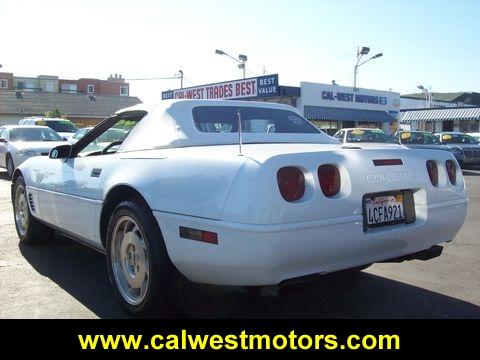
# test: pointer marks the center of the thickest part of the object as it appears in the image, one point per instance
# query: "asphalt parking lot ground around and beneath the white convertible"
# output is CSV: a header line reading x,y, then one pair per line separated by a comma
x,y
64,279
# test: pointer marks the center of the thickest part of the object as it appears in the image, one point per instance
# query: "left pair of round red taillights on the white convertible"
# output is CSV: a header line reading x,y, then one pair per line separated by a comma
x,y
291,181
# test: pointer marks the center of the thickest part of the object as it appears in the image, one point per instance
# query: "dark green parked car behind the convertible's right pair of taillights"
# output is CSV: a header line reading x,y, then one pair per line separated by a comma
x,y
426,140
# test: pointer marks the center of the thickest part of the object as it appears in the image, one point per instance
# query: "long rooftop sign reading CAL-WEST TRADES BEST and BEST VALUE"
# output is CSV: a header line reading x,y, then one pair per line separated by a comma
x,y
262,86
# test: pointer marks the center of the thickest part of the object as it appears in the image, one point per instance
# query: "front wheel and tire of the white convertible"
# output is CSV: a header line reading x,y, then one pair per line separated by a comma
x,y
33,232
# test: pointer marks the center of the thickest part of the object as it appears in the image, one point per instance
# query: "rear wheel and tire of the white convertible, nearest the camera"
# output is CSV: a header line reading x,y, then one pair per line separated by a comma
x,y
163,278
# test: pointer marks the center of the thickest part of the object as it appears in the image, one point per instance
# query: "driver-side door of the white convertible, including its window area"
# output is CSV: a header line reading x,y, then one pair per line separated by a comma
x,y
74,185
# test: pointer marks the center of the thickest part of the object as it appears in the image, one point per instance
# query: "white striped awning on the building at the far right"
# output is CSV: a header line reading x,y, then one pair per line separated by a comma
x,y
472,113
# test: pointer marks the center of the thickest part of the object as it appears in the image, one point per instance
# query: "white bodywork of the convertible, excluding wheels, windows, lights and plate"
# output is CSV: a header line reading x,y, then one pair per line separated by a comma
x,y
198,180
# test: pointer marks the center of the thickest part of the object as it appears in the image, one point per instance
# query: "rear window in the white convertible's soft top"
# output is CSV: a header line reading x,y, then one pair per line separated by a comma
x,y
224,119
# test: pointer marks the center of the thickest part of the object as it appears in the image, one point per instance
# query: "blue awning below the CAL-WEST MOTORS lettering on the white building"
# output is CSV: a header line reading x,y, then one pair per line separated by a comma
x,y
344,114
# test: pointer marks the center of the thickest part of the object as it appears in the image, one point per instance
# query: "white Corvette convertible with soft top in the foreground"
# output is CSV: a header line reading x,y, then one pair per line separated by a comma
x,y
188,195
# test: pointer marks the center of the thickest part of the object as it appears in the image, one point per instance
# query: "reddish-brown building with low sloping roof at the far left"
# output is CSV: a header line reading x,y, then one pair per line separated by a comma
x,y
85,101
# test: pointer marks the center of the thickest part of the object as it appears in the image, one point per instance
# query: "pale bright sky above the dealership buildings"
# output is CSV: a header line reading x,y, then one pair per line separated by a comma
x,y
433,43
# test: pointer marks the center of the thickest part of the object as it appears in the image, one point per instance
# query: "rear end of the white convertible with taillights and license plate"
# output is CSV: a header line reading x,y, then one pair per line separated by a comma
x,y
296,211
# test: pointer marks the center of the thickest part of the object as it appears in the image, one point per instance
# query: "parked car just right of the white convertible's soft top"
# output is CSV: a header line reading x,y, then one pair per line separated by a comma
x,y
365,138
